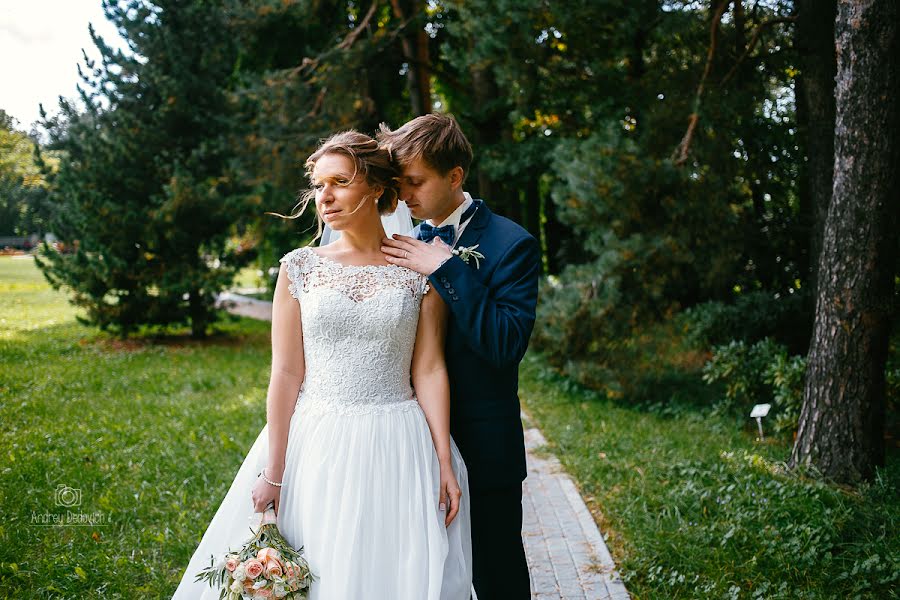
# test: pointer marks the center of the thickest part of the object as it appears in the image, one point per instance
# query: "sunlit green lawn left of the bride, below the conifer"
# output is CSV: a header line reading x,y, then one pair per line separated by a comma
x,y
144,436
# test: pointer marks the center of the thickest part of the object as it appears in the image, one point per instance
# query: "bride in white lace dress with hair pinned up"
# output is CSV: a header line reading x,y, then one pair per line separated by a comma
x,y
356,454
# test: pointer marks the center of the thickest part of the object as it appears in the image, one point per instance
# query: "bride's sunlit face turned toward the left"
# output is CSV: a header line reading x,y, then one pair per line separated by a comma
x,y
342,200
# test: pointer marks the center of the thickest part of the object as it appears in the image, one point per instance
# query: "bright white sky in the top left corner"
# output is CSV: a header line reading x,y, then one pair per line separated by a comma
x,y
40,48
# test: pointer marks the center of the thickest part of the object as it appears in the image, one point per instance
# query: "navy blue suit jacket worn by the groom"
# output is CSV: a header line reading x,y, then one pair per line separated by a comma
x,y
492,312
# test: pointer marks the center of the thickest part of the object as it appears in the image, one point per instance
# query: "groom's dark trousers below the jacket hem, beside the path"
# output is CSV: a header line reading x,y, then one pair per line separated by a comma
x,y
498,556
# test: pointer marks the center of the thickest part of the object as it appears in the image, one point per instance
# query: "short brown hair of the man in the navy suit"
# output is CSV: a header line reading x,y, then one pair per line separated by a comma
x,y
435,138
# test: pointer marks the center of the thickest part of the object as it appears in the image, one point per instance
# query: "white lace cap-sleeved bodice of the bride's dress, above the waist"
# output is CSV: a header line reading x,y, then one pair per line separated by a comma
x,y
359,327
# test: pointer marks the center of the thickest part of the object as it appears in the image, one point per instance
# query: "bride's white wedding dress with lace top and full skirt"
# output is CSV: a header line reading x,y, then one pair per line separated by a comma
x,y
361,482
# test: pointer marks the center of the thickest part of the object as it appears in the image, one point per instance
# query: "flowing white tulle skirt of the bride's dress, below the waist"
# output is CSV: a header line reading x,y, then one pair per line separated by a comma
x,y
361,495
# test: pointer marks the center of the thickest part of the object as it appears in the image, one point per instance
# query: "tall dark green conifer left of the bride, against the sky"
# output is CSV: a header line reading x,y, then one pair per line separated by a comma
x,y
146,194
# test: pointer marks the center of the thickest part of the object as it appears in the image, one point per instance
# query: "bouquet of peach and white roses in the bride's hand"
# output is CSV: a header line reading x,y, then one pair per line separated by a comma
x,y
266,567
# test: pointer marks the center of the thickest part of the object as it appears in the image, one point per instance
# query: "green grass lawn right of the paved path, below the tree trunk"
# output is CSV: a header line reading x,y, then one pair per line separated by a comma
x,y
694,507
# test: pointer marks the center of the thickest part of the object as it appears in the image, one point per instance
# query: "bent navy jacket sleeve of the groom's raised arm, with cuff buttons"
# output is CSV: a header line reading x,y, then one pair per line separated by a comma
x,y
497,320
